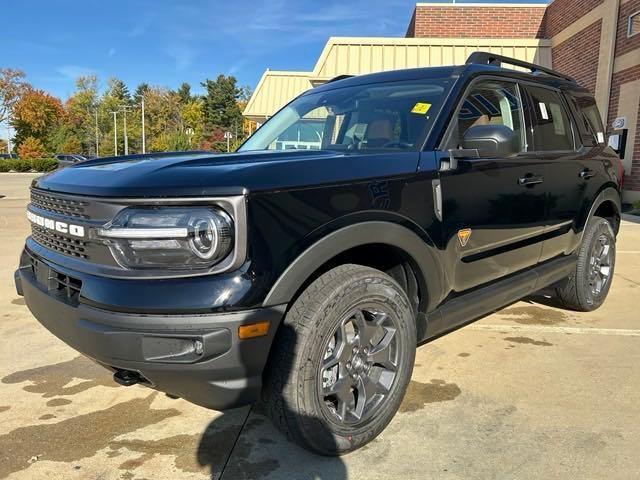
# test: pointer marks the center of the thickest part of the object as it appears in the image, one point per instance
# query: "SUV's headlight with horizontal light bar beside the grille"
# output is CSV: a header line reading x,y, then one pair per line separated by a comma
x,y
173,237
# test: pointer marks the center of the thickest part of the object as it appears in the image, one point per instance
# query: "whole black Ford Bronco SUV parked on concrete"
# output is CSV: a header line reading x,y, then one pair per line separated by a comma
x,y
307,274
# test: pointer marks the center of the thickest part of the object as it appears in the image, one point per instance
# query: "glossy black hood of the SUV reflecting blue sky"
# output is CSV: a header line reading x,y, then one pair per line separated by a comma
x,y
207,174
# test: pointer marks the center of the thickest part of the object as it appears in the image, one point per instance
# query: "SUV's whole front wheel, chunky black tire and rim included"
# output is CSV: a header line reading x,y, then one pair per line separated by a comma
x,y
299,392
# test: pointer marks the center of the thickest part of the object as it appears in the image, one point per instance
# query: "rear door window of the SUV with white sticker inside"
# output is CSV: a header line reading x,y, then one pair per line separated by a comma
x,y
550,121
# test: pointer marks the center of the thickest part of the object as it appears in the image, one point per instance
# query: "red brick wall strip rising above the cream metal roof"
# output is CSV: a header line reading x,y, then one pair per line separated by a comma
x,y
476,22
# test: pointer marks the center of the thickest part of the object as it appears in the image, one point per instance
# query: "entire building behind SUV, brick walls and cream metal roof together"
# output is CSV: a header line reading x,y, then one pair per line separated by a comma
x,y
595,41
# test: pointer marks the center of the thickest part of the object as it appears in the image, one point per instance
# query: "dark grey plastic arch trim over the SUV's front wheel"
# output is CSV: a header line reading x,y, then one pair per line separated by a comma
x,y
419,252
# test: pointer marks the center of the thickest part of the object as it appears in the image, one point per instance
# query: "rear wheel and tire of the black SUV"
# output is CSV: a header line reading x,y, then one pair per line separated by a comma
x,y
587,287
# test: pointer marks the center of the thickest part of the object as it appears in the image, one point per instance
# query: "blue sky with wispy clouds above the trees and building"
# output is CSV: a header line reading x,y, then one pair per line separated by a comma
x,y
164,42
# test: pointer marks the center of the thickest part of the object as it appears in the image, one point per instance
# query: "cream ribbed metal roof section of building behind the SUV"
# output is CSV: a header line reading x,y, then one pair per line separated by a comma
x,y
363,55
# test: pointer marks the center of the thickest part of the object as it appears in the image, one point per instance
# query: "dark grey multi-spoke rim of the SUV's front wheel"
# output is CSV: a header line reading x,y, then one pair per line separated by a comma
x,y
360,365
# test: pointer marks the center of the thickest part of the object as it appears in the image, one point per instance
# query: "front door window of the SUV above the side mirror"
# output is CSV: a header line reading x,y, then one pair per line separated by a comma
x,y
489,103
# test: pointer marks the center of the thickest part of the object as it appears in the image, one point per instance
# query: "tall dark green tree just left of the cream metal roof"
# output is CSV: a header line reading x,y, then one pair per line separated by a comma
x,y
221,103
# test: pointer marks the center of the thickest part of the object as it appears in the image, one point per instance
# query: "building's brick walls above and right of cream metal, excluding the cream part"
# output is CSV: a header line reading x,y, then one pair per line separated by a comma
x,y
595,41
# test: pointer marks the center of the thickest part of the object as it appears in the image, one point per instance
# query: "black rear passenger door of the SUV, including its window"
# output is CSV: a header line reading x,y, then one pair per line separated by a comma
x,y
570,167
